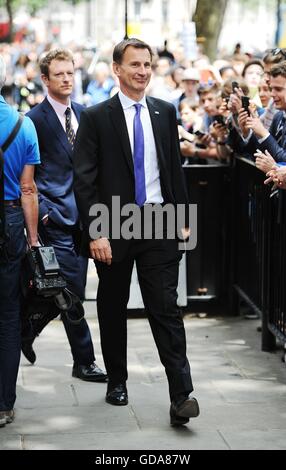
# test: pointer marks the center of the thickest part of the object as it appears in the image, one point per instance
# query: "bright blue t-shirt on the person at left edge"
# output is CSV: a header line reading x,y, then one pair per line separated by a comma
x,y
24,149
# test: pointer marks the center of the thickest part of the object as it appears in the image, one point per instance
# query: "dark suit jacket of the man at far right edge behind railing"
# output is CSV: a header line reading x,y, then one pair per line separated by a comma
x,y
277,151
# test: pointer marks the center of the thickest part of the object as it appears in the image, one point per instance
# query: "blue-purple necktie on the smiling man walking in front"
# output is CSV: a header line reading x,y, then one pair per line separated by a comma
x,y
140,188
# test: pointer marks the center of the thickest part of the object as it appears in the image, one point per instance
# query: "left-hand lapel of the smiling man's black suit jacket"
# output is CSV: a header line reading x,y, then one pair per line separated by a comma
x,y
119,123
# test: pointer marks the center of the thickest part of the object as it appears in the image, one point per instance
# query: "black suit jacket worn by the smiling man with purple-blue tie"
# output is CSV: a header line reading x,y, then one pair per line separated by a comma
x,y
103,163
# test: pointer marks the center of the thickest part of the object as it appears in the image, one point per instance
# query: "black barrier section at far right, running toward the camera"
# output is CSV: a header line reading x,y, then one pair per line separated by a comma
x,y
259,249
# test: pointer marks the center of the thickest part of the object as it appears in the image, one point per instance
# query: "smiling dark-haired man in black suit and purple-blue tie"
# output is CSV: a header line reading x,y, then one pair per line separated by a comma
x,y
127,148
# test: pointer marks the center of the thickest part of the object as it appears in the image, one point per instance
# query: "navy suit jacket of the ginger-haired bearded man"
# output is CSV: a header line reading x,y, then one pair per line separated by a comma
x,y
54,177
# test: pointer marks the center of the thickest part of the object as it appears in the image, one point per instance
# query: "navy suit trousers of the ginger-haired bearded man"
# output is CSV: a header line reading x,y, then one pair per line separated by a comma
x,y
74,269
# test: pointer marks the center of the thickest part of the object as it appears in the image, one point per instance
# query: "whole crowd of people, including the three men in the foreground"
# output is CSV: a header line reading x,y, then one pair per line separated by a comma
x,y
95,129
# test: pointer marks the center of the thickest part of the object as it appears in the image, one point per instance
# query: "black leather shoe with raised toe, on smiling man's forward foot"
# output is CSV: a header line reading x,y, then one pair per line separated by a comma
x,y
183,409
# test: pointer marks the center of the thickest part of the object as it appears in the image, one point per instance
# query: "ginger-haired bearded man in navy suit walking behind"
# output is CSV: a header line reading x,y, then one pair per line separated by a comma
x,y
56,121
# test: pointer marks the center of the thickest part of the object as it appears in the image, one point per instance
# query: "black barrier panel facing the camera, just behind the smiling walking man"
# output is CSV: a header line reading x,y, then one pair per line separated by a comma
x,y
209,187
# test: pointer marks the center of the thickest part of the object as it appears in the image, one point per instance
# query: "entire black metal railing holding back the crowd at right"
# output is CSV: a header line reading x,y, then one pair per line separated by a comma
x,y
241,249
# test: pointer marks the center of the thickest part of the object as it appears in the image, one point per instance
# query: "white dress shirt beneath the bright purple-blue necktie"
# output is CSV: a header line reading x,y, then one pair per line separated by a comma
x,y
152,174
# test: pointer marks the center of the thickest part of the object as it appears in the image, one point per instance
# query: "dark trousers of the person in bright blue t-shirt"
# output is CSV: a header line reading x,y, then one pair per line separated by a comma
x,y
10,328
